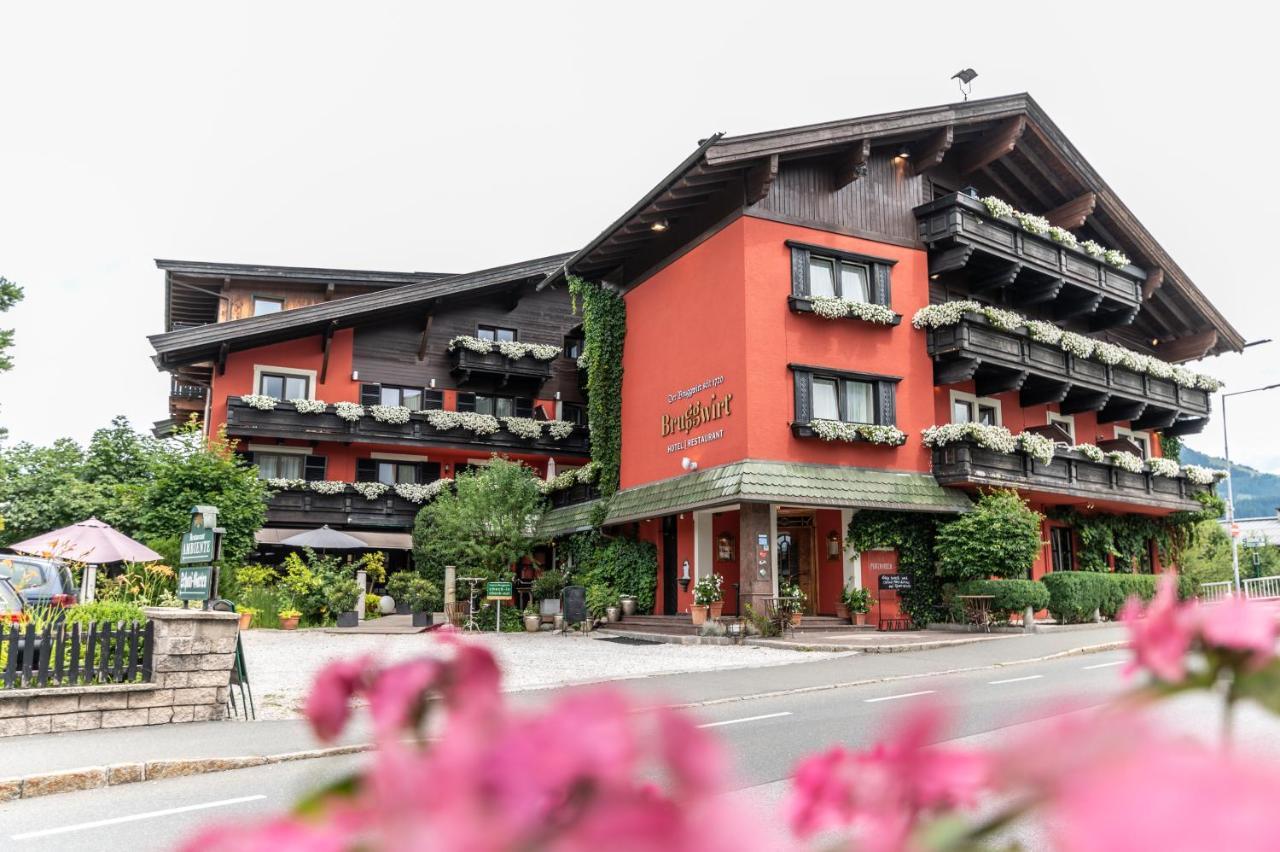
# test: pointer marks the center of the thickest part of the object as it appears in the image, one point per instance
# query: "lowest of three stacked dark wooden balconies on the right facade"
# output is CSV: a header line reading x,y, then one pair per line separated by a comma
x,y
1069,475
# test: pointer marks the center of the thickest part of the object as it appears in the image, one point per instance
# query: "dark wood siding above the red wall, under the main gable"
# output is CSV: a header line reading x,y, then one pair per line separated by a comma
x,y
877,207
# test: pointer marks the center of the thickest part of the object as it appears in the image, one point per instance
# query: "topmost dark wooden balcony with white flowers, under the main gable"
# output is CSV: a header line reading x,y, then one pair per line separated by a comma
x,y
973,251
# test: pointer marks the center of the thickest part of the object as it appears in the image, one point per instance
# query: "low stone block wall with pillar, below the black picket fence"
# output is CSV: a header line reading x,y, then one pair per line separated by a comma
x,y
193,661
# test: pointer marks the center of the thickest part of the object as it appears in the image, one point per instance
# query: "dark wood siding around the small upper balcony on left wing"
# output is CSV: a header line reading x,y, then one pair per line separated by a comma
x,y
387,352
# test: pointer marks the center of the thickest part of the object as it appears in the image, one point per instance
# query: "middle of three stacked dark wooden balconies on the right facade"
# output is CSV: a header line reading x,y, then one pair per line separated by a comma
x,y
1000,361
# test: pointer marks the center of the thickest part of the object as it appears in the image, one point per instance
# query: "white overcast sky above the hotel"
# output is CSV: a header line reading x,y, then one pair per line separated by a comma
x,y
414,136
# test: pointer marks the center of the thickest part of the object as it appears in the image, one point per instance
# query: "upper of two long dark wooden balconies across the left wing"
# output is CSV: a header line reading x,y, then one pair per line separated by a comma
x,y
285,422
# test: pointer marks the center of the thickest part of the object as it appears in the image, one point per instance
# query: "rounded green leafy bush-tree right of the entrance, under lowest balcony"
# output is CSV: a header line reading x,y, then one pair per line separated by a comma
x,y
999,539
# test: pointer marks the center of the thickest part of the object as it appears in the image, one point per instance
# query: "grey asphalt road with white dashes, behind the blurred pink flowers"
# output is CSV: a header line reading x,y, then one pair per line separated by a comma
x,y
766,738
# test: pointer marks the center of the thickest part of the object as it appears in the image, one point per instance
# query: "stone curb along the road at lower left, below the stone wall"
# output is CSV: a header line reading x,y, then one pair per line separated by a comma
x,y
70,781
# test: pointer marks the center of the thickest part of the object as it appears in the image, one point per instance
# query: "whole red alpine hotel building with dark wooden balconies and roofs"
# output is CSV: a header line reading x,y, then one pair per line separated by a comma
x,y
779,373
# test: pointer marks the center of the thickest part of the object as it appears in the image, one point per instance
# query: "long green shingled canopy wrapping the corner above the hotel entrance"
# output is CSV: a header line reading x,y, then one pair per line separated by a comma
x,y
790,483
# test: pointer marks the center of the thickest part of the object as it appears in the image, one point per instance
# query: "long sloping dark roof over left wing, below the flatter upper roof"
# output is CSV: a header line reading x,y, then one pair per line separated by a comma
x,y
205,342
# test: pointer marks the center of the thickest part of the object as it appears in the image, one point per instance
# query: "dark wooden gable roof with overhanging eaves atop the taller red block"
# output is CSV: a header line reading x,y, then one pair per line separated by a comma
x,y
1009,141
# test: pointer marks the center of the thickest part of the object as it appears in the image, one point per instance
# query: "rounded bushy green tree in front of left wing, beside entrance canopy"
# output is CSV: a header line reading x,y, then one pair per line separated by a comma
x,y
484,525
